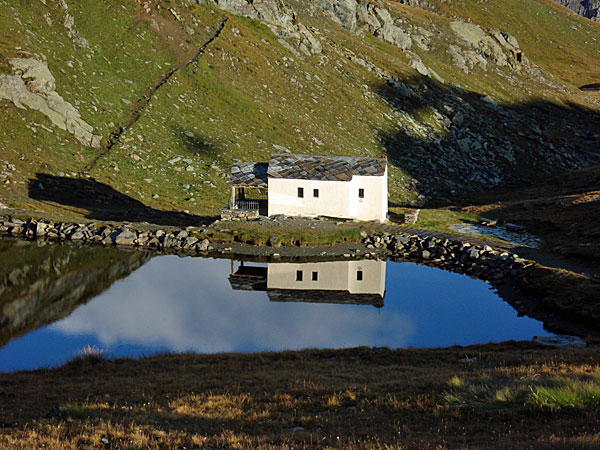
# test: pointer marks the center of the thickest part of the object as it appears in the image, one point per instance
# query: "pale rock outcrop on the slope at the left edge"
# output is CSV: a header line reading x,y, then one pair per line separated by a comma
x,y
33,86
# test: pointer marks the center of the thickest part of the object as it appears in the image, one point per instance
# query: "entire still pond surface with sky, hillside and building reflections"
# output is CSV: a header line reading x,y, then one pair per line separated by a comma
x,y
136,306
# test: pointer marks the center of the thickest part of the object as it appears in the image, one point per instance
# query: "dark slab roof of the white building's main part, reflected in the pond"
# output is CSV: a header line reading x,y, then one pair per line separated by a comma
x,y
324,296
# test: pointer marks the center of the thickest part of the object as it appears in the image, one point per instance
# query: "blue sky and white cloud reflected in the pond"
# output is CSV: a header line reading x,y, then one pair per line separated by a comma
x,y
186,304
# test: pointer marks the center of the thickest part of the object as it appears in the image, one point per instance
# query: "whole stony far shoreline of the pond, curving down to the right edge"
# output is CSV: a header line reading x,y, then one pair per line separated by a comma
x,y
504,271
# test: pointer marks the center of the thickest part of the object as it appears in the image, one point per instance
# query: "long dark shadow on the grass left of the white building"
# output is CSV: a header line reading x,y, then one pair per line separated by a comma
x,y
105,203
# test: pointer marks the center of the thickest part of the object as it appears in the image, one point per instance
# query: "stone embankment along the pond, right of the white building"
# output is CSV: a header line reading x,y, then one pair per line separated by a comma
x,y
482,262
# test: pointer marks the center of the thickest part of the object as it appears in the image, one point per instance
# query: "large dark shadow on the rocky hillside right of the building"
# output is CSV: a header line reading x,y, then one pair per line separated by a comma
x,y
478,145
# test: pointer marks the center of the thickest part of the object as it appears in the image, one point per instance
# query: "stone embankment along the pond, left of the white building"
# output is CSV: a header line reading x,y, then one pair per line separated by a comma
x,y
105,235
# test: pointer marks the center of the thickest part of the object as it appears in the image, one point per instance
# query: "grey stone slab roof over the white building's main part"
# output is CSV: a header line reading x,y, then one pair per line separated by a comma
x,y
326,168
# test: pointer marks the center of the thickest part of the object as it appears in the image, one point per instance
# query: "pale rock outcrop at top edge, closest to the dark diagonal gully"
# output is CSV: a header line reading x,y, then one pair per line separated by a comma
x,y
281,19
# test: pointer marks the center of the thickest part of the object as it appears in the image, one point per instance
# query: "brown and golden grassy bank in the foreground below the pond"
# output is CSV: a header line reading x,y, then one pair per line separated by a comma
x,y
511,395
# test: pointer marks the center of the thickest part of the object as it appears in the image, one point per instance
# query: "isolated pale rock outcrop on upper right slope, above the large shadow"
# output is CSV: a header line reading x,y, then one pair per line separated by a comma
x,y
494,46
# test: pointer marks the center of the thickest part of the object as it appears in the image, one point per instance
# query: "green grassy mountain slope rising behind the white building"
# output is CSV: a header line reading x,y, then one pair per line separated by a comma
x,y
248,95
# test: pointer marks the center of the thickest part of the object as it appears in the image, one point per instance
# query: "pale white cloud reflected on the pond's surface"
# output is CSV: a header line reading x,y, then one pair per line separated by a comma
x,y
187,304
